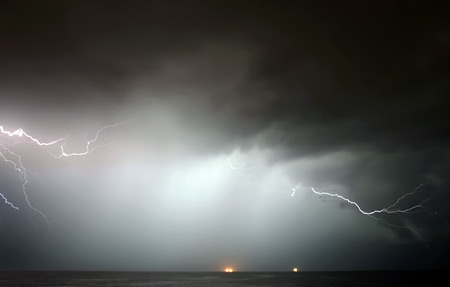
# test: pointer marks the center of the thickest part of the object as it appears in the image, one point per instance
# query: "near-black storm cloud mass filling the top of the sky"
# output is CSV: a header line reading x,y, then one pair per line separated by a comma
x,y
309,64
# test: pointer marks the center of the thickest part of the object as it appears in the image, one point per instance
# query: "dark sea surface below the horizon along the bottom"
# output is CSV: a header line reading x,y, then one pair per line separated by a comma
x,y
378,278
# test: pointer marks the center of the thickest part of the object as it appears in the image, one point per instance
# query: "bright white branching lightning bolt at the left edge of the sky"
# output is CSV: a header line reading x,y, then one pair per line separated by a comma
x,y
15,160
